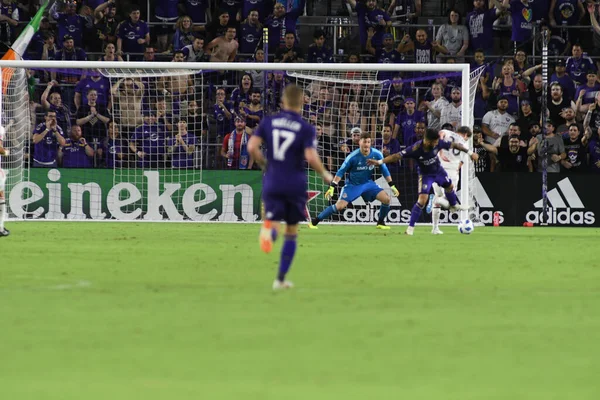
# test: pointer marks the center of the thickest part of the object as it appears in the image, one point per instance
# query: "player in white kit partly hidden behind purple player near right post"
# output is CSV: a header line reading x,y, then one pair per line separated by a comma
x,y
451,161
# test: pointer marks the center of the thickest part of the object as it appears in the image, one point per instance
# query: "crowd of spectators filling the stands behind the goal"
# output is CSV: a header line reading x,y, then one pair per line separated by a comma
x,y
205,120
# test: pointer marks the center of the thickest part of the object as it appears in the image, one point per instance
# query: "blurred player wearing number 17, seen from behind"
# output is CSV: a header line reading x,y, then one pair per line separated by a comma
x,y
289,140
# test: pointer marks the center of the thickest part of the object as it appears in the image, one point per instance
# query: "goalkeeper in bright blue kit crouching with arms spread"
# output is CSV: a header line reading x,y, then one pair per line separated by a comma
x,y
359,183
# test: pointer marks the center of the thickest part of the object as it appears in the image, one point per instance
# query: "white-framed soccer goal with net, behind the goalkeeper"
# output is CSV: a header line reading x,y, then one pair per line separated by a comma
x,y
167,141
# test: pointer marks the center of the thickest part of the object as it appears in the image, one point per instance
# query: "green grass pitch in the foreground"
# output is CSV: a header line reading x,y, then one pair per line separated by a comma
x,y
185,311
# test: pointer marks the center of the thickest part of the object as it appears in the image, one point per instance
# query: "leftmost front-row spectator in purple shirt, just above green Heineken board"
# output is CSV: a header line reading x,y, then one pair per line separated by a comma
x,y
47,136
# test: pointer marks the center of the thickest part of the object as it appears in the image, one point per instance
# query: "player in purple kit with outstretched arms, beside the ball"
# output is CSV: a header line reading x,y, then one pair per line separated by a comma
x,y
424,152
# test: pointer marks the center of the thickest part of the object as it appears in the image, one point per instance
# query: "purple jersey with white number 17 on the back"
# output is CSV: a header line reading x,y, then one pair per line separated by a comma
x,y
286,135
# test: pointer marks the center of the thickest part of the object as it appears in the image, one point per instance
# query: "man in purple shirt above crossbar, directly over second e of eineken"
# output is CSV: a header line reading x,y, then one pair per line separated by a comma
x,y
133,35
